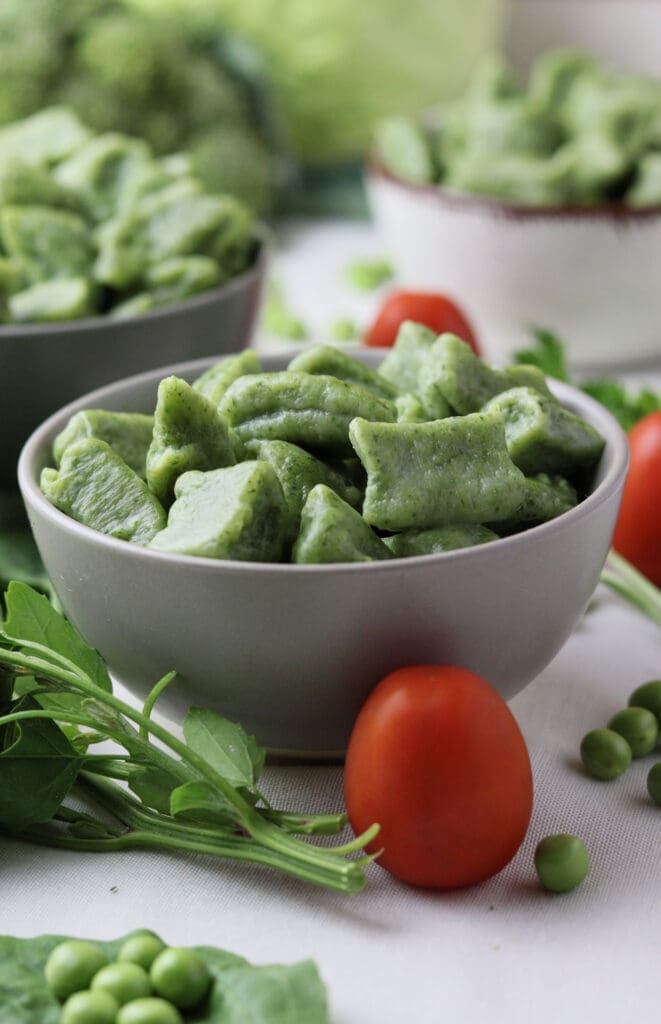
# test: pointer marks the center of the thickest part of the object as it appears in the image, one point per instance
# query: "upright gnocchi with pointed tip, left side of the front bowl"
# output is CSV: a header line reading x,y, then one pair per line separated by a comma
x,y
189,435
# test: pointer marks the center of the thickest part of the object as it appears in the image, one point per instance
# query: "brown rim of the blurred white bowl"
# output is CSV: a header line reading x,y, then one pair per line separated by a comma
x,y
518,211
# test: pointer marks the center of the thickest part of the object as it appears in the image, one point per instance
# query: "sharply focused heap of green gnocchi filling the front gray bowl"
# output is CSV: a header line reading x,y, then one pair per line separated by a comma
x,y
330,460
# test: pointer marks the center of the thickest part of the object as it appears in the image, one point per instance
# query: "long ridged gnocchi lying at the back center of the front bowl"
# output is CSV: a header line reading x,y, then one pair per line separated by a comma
x,y
312,410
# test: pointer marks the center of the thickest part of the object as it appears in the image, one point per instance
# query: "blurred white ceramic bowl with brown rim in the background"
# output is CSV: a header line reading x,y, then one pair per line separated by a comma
x,y
590,275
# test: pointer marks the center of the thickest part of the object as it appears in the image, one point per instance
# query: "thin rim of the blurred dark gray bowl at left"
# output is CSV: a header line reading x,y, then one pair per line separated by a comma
x,y
106,322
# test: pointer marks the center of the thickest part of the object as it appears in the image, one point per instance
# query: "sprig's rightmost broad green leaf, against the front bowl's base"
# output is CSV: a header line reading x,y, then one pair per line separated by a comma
x,y
226,746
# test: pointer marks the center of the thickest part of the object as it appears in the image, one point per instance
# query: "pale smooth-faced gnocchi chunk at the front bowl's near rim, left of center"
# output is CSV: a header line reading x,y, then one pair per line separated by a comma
x,y
238,513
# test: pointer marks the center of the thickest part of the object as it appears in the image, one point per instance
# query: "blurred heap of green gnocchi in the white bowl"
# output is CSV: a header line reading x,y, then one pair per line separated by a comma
x,y
577,135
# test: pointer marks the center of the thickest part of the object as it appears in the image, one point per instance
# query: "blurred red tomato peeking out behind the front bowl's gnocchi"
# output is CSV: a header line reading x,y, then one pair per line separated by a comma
x,y
435,312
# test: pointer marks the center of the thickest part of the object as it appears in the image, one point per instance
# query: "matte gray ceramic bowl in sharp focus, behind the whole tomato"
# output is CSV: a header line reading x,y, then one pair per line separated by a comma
x,y
292,652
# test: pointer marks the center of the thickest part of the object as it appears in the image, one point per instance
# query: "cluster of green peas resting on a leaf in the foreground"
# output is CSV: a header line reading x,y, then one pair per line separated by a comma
x,y
150,984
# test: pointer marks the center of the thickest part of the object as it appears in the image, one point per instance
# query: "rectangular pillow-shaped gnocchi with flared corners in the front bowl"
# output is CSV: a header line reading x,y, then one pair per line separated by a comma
x,y
431,475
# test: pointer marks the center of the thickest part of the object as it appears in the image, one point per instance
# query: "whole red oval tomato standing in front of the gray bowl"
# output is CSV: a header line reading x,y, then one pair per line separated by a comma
x,y
437,759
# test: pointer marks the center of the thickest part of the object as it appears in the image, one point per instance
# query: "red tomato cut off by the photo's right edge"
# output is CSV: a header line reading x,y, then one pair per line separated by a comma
x,y
638,533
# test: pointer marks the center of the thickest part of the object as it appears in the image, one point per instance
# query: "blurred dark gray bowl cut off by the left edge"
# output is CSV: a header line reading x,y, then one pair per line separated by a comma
x,y
42,367
